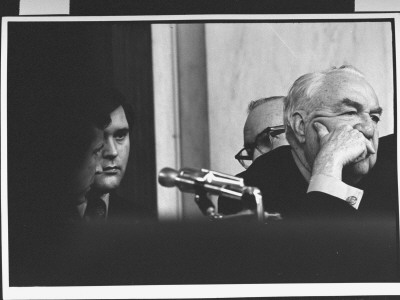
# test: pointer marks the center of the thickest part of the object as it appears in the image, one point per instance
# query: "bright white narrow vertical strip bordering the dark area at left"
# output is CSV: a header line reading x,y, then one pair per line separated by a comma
x,y
166,116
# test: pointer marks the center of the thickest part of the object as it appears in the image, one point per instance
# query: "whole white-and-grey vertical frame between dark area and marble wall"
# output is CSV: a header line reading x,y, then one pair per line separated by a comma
x,y
181,113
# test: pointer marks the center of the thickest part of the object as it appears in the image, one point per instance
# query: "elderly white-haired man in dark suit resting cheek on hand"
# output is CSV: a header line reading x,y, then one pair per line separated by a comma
x,y
328,171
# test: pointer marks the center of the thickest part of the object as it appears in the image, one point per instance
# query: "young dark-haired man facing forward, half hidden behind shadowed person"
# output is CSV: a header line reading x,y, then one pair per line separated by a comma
x,y
103,200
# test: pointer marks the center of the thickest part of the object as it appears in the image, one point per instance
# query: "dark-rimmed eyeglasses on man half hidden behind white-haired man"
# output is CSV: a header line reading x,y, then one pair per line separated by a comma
x,y
245,155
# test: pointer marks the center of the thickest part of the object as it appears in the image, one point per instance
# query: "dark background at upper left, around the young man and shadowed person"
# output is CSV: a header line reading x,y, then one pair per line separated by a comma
x,y
42,55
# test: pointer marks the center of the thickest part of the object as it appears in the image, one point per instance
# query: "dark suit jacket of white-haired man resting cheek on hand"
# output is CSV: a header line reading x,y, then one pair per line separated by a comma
x,y
284,188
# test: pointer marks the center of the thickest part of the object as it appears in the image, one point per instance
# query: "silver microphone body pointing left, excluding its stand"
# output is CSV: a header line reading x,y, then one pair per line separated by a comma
x,y
195,181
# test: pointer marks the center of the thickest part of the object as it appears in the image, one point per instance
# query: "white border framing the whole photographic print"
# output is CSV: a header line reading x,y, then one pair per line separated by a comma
x,y
174,291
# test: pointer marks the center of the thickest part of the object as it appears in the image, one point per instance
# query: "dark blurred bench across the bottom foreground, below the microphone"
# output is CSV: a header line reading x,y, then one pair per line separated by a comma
x,y
212,253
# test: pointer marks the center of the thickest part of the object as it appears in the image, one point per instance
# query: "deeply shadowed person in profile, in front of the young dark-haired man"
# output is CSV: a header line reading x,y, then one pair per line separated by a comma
x,y
66,125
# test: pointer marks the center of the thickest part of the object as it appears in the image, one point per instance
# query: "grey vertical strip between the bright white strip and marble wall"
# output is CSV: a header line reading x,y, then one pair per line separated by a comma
x,y
193,110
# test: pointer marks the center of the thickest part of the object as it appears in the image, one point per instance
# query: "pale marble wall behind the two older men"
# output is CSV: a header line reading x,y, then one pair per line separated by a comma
x,y
249,61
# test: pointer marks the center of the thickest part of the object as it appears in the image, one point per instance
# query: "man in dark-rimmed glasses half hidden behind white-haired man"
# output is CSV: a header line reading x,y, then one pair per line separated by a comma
x,y
262,132
